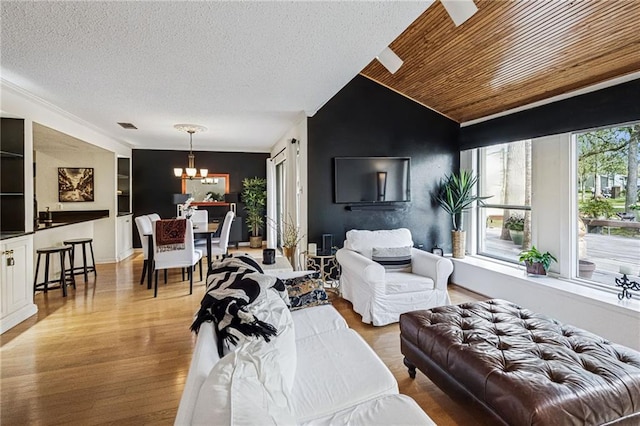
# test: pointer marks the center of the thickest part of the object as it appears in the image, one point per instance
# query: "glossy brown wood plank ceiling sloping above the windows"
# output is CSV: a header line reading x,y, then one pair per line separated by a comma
x,y
512,53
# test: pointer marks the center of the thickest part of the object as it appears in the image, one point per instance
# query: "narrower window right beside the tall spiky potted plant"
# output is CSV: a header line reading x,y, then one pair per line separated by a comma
x,y
504,222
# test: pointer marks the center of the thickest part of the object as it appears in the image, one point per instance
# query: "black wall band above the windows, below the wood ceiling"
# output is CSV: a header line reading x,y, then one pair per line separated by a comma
x,y
613,105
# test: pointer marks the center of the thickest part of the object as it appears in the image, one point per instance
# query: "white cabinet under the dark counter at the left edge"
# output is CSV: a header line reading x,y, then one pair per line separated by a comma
x,y
16,281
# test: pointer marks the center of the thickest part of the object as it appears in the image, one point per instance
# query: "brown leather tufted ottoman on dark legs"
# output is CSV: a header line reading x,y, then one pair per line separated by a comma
x,y
522,367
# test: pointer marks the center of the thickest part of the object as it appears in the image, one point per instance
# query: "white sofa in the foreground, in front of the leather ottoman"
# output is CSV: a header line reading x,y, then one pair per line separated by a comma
x,y
338,380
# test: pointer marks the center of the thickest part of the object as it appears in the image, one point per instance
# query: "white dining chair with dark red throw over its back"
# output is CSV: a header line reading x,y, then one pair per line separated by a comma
x,y
182,257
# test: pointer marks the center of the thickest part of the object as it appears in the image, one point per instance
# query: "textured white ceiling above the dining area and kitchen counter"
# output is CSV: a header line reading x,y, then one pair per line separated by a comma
x,y
248,71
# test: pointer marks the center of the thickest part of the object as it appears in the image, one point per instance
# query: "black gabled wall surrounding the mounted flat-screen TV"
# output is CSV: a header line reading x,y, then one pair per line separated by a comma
x,y
367,119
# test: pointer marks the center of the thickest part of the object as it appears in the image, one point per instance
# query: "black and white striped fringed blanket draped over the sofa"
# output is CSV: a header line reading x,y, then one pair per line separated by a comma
x,y
233,284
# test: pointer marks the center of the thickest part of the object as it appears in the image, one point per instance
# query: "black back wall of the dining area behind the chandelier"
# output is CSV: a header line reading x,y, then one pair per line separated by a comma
x,y
154,182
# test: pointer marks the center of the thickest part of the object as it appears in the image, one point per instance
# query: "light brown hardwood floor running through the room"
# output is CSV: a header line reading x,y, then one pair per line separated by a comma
x,y
110,353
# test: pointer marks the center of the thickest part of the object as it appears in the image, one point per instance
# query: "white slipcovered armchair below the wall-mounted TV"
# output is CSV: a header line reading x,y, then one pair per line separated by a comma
x,y
380,295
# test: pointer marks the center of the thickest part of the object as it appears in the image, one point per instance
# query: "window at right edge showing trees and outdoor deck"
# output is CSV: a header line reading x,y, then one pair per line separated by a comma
x,y
608,205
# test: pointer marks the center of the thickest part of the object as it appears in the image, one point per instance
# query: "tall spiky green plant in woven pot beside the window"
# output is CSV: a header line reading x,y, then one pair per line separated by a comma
x,y
455,195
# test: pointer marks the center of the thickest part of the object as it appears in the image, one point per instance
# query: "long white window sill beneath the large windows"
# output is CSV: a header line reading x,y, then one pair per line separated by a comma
x,y
555,284
